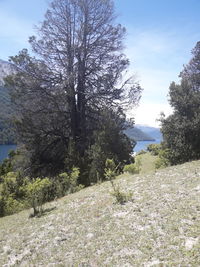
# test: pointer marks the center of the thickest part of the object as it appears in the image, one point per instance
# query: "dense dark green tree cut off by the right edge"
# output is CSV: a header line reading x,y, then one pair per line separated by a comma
x,y
181,130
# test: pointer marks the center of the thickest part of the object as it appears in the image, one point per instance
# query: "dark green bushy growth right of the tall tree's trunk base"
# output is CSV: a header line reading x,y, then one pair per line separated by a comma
x,y
110,142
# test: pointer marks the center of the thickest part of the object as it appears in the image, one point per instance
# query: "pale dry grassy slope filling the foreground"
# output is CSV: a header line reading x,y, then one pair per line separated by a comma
x,y
159,227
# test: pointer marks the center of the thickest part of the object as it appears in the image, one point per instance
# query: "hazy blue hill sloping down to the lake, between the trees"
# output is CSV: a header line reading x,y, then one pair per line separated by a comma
x,y
138,134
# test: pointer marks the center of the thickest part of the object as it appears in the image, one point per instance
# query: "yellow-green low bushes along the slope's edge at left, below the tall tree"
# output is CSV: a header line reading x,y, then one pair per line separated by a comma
x,y
18,193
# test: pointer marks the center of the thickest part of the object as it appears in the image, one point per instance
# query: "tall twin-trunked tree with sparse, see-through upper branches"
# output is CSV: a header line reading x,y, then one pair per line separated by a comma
x,y
59,96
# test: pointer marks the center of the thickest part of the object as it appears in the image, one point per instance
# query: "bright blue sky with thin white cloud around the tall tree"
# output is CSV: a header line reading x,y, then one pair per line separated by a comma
x,y
159,39
